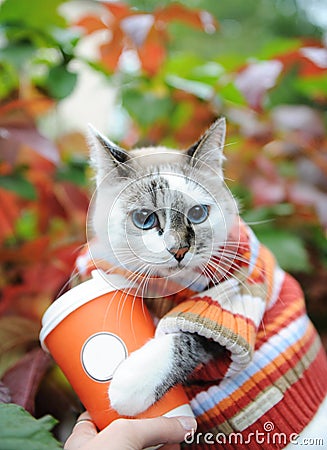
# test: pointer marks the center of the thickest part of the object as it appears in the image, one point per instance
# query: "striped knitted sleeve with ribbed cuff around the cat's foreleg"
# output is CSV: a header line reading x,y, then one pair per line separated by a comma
x,y
230,312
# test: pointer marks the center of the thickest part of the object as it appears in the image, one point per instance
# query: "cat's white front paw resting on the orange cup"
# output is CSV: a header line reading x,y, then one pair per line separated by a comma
x,y
140,378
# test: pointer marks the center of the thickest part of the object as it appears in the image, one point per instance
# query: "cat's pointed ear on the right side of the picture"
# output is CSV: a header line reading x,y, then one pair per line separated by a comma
x,y
209,148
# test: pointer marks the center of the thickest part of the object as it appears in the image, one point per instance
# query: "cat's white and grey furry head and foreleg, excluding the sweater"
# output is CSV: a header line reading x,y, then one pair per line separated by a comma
x,y
169,208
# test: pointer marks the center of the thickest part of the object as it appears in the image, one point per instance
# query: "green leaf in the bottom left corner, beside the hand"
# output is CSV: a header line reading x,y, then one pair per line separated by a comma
x,y
19,430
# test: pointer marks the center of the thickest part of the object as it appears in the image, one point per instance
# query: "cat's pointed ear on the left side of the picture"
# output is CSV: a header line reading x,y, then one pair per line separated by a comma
x,y
107,157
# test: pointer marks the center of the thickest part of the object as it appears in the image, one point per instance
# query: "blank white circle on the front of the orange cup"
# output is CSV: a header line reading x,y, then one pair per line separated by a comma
x,y
101,355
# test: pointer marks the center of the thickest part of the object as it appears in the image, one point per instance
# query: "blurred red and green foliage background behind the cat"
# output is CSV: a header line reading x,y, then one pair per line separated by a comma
x,y
173,68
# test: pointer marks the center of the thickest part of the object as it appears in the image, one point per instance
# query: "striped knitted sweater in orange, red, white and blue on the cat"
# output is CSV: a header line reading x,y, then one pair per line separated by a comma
x,y
272,377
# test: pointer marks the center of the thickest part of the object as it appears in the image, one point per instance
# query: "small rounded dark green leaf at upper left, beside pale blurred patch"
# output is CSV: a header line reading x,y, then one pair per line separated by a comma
x,y
60,82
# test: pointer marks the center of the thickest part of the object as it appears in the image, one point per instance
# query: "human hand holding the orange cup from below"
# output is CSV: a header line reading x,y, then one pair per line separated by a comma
x,y
131,434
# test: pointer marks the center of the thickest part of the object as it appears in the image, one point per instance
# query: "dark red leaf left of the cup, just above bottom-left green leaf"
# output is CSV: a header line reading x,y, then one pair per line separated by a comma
x,y
24,377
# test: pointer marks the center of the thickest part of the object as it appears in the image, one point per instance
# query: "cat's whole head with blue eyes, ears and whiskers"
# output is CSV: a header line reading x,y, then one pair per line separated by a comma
x,y
161,211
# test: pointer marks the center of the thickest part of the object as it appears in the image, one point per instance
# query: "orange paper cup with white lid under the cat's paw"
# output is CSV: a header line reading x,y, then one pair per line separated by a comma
x,y
89,331
